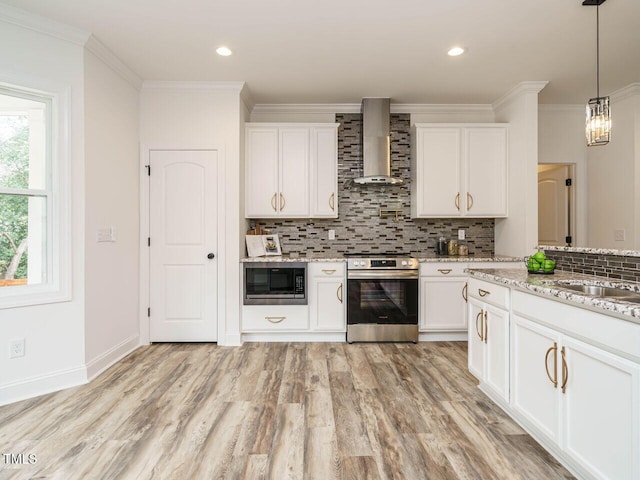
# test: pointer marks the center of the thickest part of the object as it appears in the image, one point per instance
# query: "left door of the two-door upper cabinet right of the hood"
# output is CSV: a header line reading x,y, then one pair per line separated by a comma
x,y
438,166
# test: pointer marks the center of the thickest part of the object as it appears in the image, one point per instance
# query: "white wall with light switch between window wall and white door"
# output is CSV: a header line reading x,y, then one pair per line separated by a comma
x,y
112,200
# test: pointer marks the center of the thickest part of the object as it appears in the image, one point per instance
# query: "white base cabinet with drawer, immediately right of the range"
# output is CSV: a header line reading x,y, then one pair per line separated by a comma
x,y
443,297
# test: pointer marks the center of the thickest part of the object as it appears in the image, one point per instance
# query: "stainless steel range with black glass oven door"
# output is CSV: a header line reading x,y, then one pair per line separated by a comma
x,y
382,298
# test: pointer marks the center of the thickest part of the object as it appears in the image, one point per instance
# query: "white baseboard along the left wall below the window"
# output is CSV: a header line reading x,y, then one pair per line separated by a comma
x,y
42,384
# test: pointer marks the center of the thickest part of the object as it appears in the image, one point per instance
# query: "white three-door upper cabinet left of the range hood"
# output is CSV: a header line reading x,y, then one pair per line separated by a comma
x,y
291,170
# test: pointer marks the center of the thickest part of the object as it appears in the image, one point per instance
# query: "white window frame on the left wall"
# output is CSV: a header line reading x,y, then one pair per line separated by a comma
x,y
56,287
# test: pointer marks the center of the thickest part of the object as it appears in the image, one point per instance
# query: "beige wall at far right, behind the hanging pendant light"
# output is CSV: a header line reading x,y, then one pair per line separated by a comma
x,y
613,177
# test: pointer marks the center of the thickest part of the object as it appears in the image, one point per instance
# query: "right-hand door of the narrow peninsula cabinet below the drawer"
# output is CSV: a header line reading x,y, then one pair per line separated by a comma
x,y
496,332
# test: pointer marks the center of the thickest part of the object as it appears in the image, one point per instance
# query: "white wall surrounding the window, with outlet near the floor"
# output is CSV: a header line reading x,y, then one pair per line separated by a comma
x,y
53,333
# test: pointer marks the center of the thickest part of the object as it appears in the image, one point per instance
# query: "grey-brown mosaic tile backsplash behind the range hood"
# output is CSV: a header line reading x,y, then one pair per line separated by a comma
x,y
359,227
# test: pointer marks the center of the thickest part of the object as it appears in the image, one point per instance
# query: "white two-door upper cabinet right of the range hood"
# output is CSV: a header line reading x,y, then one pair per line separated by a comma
x,y
459,170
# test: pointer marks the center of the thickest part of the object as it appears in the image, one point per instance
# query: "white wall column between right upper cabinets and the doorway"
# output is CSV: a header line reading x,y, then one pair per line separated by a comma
x,y
517,235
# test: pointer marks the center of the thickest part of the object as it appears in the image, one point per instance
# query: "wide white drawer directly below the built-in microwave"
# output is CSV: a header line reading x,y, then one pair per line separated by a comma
x,y
268,318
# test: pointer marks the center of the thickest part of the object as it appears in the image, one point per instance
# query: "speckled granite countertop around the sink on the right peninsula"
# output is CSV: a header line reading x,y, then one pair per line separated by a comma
x,y
551,286
